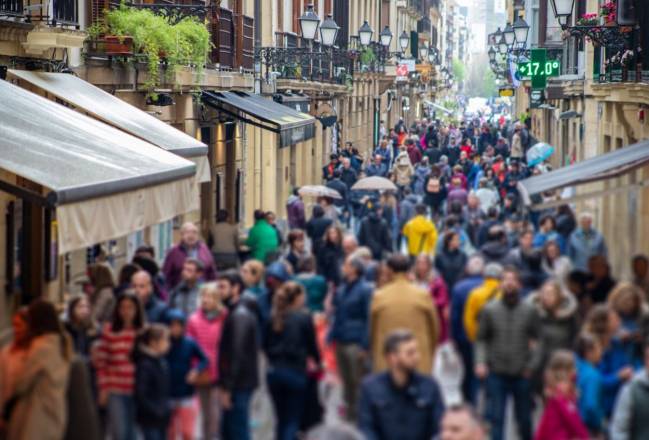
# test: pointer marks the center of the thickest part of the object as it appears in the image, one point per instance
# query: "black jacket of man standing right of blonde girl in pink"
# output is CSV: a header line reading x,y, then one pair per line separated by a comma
x,y
238,368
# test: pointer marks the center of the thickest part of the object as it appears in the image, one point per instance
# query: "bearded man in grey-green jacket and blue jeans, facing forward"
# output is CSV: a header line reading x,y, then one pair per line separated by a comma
x,y
504,355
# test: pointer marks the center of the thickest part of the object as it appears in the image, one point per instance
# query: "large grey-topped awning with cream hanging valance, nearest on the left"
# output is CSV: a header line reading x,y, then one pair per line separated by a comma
x,y
102,182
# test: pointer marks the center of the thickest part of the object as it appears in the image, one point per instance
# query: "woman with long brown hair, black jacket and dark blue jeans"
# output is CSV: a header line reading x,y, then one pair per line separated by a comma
x,y
290,340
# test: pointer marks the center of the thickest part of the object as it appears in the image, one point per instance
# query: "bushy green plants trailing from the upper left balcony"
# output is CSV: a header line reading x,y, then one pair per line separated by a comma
x,y
185,43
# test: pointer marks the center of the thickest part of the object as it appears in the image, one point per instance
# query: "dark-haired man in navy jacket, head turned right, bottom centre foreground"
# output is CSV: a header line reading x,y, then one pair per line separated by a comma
x,y
400,403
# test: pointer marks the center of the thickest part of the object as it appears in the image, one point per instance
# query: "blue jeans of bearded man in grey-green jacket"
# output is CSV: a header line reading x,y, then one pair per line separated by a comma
x,y
499,387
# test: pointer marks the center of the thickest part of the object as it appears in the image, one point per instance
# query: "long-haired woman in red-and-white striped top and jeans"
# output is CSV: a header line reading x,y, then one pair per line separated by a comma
x,y
115,368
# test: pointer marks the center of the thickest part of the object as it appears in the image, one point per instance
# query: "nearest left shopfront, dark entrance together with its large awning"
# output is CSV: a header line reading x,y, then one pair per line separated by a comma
x,y
69,181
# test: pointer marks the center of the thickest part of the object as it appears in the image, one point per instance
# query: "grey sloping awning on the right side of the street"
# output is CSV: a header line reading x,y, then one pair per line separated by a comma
x,y
598,168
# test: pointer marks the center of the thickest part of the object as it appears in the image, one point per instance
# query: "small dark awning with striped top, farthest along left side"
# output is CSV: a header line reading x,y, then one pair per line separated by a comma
x,y
292,126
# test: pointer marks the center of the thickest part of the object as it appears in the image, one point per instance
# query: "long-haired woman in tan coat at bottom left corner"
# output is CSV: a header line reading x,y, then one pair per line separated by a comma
x,y
38,404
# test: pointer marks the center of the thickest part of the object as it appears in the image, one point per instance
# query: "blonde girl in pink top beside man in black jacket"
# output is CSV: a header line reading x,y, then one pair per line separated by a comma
x,y
206,326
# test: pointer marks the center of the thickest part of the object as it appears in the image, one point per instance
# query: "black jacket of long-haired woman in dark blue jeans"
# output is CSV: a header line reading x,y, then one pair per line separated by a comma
x,y
290,347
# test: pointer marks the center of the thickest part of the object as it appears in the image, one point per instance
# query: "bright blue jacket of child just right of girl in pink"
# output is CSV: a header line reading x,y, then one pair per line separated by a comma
x,y
589,384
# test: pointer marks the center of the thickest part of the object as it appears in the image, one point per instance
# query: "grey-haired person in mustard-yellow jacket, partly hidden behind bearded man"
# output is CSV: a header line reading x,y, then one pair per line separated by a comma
x,y
480,296
